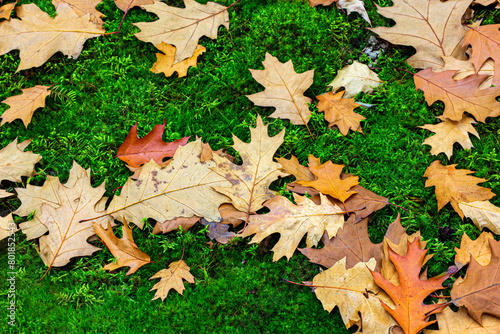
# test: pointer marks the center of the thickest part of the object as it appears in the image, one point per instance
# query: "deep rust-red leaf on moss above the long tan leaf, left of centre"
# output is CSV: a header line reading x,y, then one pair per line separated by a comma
x,y
137,151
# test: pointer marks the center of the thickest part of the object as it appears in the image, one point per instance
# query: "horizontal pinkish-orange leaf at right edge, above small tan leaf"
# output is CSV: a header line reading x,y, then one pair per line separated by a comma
x,y
459,96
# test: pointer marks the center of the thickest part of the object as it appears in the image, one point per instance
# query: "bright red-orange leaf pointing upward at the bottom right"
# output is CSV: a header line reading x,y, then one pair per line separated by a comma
x,y
411,312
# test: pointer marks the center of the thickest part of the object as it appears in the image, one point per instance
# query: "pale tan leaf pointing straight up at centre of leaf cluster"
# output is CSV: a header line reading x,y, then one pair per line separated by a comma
x,y
249,182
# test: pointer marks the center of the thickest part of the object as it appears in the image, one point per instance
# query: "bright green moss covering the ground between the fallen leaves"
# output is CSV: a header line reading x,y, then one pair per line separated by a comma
x,y
100,96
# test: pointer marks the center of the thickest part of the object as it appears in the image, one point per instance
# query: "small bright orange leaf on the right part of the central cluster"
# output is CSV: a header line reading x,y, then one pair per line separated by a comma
x,y
329,182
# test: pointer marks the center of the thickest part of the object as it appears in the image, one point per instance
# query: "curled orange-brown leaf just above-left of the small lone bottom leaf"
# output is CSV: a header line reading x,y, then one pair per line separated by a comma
x,y
124,249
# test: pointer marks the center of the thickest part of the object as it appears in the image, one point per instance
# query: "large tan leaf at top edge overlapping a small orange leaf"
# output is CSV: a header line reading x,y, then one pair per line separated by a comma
x,y
183,27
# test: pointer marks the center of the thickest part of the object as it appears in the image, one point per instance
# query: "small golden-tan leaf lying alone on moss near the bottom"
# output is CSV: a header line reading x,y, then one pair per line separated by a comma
x,y
171,278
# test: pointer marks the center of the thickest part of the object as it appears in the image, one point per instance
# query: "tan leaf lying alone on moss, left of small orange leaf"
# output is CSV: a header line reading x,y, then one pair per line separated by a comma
x,y
284,90
